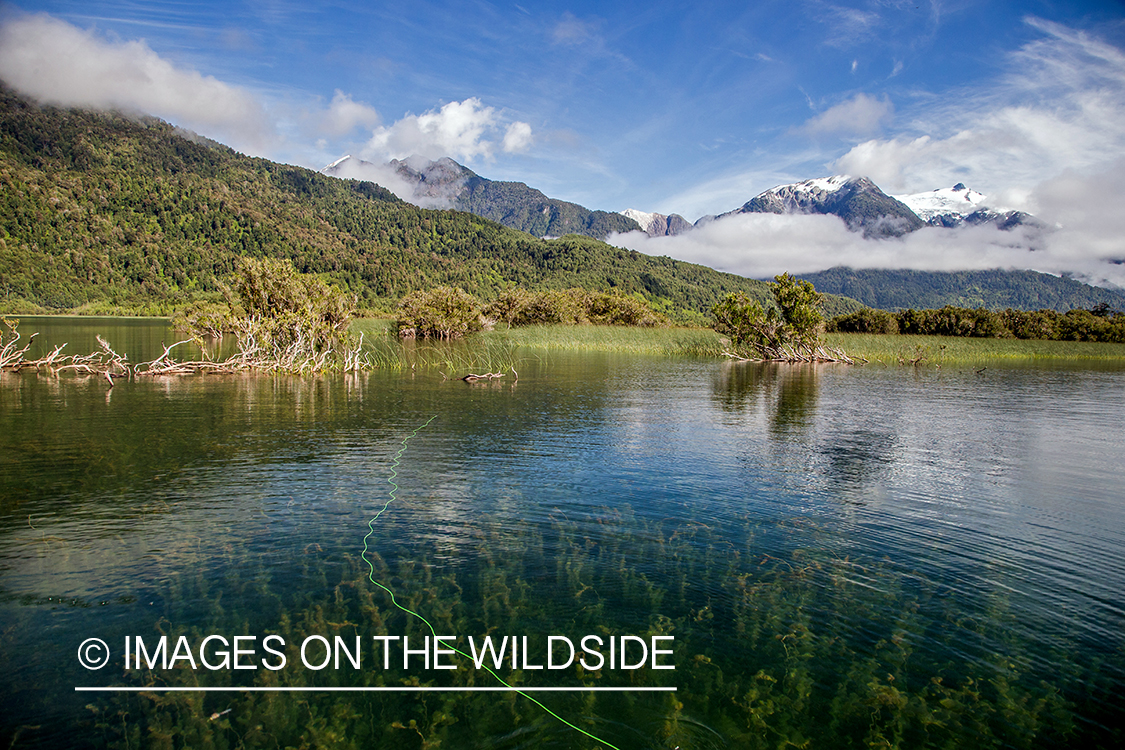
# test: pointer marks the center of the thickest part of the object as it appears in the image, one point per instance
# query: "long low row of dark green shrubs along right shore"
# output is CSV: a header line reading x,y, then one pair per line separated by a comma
x,y
1100,324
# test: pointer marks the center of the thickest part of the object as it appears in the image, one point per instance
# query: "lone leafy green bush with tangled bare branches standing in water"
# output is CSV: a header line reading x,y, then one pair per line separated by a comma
x,y
791,332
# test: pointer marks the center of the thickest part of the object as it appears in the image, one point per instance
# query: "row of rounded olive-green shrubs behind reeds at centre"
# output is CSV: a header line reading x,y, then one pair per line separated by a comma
x,y
449,313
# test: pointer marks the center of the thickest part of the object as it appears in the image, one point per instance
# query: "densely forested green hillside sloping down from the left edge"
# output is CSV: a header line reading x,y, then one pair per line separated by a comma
x,y
101,212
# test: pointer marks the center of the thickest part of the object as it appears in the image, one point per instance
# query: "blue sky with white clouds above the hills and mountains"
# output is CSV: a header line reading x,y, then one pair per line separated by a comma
x,y
665,107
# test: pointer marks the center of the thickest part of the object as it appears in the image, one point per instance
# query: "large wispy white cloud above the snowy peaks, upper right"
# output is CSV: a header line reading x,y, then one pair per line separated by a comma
x,y
1061,106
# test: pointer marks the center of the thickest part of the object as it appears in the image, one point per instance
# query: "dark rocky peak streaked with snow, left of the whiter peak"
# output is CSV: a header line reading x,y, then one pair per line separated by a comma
x,y
857,201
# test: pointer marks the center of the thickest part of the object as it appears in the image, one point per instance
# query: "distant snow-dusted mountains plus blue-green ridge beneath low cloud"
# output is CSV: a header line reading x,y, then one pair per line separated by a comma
x,y
858,202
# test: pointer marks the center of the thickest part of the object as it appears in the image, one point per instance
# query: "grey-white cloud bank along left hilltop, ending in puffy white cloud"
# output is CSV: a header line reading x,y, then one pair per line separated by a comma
x,y
58,64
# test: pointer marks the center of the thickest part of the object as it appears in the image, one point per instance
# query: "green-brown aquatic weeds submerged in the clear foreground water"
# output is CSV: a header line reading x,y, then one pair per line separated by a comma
x,y
811,649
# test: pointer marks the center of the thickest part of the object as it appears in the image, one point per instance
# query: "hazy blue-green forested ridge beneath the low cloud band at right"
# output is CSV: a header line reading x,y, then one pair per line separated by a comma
x,y
995,291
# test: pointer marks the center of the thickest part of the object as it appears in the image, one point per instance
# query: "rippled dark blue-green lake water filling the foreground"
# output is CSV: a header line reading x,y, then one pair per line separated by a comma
x,y
843,557
